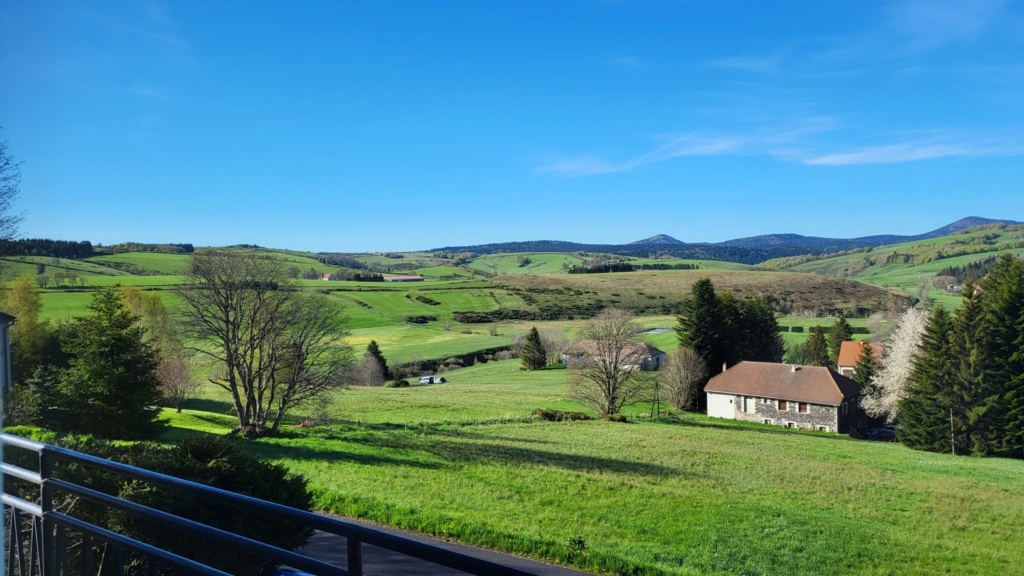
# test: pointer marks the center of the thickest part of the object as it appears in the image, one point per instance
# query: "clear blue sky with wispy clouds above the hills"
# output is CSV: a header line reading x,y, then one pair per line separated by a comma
x,y
380,126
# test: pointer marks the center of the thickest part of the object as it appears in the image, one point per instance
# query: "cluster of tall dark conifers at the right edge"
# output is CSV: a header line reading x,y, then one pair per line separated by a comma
x,y
965,392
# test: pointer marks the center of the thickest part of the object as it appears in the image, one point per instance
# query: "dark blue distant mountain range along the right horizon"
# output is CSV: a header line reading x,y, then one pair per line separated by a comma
x,y
745,251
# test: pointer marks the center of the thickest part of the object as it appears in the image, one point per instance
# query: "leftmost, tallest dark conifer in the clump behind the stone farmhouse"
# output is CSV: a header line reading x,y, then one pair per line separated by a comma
x,y
705,326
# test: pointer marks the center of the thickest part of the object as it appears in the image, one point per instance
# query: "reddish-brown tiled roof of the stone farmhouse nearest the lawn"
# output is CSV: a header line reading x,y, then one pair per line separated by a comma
x,y
785,382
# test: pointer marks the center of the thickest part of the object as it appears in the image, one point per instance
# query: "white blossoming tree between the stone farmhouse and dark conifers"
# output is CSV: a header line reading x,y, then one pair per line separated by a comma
x,y
890,385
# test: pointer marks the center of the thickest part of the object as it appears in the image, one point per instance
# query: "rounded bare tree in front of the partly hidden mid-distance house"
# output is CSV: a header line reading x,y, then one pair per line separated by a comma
x,y
607,375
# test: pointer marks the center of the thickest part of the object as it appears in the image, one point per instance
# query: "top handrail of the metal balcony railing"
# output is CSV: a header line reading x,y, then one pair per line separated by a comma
x,y
371,537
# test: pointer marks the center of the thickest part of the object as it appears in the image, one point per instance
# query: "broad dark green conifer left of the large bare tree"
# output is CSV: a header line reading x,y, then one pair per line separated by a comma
x,y
111,389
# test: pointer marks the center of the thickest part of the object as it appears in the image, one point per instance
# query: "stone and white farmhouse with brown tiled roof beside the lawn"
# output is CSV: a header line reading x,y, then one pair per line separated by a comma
x,y
786,395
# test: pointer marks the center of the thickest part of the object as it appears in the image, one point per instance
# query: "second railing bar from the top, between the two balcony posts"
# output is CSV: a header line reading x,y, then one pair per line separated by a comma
x,y
190,526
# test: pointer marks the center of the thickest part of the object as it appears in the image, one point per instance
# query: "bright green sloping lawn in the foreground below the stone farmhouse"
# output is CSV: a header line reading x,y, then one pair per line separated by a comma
x,y
686,496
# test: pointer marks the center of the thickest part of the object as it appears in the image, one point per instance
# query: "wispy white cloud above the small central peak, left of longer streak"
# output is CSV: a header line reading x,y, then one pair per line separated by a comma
x,y
676,147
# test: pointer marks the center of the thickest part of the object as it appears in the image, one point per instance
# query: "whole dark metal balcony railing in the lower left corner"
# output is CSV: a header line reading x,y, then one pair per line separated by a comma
x,y
38,539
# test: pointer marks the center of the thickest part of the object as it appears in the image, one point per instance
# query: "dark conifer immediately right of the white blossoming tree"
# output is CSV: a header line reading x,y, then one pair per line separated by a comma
x,y
925,413
